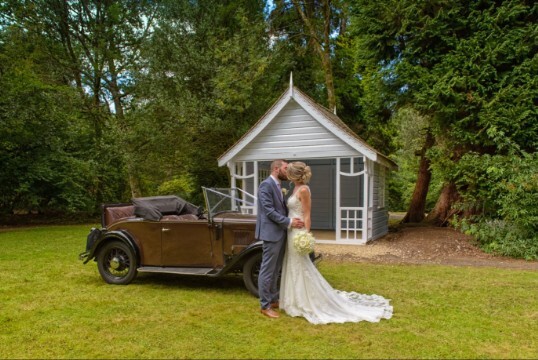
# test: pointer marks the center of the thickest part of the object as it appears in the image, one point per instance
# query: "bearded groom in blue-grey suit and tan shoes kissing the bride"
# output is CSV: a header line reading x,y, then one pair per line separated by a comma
x,y
272,226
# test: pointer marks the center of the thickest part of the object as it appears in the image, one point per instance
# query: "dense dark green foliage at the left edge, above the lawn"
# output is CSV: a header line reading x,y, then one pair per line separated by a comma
x,y
43,137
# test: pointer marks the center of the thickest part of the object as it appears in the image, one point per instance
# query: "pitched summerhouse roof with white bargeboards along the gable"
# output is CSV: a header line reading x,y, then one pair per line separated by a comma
x,y
325,118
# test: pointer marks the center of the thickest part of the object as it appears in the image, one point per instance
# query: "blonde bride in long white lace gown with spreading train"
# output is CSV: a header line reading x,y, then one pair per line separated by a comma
x,y
303,290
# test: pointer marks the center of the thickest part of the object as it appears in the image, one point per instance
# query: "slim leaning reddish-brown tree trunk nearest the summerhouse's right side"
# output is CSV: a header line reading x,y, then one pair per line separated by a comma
x,y
415,213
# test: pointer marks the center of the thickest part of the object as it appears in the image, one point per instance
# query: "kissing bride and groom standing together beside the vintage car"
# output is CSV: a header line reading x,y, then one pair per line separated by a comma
x,y
302,291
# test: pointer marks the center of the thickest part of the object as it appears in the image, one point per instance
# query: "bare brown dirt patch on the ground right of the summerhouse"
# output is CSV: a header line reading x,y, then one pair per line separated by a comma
x,y
422,245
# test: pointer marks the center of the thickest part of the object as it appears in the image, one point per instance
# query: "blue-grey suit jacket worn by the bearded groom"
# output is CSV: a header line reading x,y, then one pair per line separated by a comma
x,y
272,219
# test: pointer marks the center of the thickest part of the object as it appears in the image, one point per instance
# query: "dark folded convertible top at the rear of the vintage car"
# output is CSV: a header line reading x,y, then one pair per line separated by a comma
x,y
155,207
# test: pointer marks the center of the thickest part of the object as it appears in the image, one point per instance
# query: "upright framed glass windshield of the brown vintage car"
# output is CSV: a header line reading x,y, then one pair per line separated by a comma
x,y
228,199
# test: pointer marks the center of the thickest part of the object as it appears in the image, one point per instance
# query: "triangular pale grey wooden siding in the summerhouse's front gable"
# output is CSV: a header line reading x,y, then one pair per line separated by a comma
x,y
295,134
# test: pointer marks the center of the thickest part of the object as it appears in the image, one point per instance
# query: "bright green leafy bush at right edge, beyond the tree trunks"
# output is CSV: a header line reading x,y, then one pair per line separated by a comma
x,y
505,189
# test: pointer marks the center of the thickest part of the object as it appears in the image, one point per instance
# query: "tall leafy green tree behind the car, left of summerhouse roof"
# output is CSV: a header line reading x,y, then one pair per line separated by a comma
x,y
206,81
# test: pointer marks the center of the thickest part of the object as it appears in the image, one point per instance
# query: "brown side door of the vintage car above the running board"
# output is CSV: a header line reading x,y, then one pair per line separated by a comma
x,y
186,244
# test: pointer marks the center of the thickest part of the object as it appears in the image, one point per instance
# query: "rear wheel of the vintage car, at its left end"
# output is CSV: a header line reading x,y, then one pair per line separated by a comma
x,y
117,263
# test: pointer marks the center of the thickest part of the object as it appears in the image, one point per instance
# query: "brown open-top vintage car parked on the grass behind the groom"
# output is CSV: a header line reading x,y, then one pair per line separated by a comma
x,y
166,234
